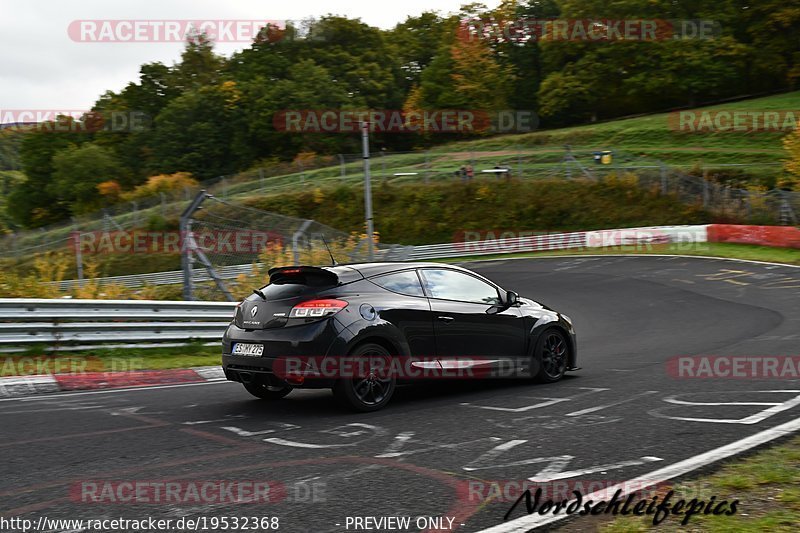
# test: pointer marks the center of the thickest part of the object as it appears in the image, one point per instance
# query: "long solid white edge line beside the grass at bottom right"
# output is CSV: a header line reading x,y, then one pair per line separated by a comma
x,y
529,522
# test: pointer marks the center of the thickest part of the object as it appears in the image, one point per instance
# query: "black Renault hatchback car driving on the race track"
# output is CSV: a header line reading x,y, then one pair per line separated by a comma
x,y
361,329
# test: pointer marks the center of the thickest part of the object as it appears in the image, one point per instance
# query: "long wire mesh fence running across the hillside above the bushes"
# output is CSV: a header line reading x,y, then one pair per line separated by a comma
x,y
421,167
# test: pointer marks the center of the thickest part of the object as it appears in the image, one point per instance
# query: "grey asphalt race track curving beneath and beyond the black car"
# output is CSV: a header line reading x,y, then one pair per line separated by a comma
x,y
622,416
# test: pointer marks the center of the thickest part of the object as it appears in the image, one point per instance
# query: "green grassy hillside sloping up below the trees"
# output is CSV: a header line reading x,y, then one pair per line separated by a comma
x,y
640,141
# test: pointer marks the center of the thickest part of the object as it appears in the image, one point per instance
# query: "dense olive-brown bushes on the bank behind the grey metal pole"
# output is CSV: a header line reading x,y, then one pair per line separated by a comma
x,y
438,212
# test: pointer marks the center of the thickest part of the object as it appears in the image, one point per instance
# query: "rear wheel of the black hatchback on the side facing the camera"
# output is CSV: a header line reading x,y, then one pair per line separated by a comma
x,y
370,392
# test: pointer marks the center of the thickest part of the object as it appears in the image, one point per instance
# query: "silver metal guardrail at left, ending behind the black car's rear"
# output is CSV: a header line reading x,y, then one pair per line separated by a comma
x,y
80,324
